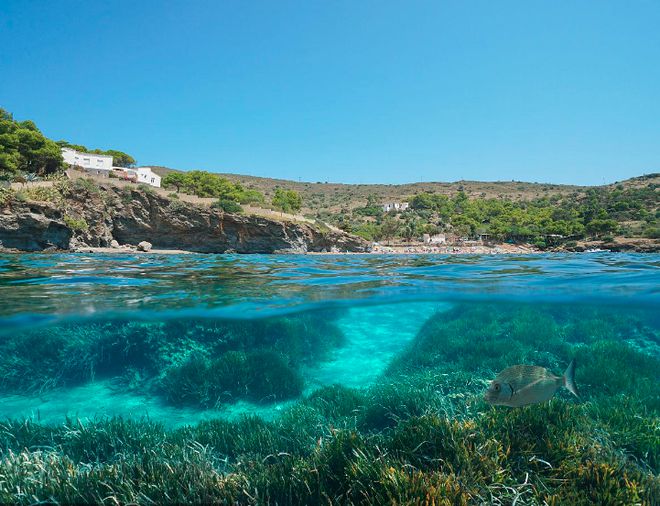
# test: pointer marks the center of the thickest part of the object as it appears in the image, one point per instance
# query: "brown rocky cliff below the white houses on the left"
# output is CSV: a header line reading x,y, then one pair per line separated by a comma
x,y
86,215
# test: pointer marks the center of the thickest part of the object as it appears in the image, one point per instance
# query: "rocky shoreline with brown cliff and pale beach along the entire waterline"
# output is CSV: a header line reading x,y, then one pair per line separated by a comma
x,y
86,217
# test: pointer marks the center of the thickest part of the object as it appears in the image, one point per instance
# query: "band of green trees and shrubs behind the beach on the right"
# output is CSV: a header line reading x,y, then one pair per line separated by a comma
x,y
599,213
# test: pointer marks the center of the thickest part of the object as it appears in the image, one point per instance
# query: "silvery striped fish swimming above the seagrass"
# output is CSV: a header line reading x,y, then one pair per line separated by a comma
x,y
520,385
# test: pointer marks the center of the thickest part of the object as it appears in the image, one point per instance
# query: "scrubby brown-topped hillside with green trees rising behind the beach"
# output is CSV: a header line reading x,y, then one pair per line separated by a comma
x,y
545,215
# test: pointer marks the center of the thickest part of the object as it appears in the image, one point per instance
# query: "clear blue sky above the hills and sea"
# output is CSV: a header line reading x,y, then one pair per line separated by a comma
x,y
348,91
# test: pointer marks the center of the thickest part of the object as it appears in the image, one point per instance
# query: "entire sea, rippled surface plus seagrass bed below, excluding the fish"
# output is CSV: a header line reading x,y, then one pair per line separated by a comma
x,y
326,380
